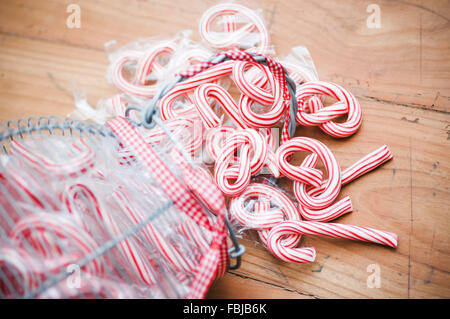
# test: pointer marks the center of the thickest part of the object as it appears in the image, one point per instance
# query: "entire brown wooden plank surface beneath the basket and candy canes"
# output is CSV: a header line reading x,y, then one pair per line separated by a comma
x,y
400,73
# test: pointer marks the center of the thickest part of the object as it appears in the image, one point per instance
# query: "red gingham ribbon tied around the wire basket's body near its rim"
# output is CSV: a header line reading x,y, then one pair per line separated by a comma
x,y
214,263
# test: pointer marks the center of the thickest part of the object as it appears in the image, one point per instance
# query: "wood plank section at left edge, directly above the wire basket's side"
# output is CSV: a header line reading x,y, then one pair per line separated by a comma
x,y
36,77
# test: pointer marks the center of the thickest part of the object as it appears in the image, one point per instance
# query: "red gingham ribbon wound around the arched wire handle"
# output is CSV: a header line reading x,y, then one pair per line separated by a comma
x,y
274,66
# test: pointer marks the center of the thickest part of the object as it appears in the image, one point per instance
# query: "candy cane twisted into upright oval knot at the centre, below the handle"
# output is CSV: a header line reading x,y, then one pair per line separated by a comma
x,y
250,140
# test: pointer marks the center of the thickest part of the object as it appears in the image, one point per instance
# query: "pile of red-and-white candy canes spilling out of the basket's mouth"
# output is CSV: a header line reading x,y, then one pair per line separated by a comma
x,y
240,138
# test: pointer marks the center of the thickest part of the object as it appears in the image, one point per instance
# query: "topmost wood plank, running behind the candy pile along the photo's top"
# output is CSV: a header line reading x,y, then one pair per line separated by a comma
x,y
395,63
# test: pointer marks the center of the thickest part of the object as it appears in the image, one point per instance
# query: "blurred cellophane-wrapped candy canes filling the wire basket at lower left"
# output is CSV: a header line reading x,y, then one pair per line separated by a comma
x,y
80,217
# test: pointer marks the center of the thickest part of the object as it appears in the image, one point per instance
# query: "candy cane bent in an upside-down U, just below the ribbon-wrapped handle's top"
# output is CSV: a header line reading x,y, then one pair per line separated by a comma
x,y
202,95
